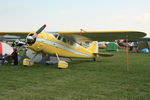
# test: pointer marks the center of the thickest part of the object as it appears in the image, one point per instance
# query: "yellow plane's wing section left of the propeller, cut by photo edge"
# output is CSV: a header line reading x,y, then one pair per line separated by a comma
x,y
14,34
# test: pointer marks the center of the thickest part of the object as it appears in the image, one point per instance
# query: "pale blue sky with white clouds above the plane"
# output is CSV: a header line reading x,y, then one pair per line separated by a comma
x,y
73,15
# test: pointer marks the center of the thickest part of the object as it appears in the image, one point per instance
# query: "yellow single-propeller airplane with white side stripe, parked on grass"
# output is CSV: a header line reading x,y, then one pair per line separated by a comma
x,y
71,44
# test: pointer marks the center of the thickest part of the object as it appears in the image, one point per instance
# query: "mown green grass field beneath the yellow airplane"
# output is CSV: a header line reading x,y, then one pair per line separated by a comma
x,y
106,79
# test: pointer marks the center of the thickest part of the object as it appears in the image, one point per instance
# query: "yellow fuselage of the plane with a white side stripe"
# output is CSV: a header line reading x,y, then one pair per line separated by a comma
x,y
51,44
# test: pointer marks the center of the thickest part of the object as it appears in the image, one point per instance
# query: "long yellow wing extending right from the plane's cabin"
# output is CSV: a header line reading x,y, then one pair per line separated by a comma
x,y
103,35
